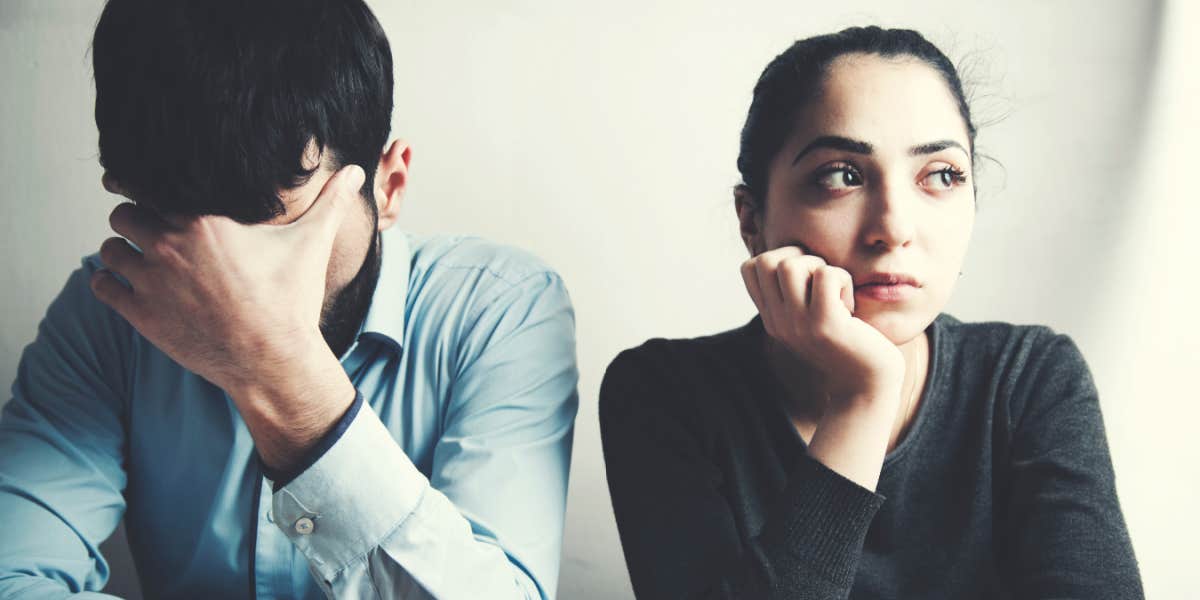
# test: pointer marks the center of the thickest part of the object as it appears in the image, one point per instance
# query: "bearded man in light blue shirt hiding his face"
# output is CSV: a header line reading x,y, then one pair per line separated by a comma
x,y
279,400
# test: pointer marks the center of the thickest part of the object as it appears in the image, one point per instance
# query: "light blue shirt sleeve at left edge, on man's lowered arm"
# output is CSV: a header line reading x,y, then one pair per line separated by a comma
x,y
62,447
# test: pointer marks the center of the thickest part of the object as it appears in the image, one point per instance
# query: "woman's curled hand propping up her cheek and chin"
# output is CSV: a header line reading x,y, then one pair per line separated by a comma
x,y
808,307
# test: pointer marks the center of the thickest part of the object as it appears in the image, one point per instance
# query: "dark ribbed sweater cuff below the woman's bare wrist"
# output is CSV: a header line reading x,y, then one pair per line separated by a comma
x,y
823,521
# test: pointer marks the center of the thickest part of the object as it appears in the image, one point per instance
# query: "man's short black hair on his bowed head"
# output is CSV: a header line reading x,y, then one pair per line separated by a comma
x,y
207,107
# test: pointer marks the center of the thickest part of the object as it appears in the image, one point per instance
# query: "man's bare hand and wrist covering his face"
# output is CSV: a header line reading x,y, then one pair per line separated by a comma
x,y
241,305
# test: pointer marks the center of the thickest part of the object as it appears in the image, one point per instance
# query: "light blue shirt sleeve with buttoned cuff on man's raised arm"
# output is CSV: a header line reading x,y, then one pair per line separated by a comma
x,y
489,520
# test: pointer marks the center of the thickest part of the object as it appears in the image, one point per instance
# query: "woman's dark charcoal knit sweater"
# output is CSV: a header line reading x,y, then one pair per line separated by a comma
x,y
1003,488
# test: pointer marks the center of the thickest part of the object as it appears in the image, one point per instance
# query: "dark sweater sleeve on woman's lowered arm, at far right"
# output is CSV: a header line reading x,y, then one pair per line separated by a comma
x,y
1063,530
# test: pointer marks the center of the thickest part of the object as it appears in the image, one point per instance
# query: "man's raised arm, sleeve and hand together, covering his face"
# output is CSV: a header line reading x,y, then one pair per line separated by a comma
x,y
241,305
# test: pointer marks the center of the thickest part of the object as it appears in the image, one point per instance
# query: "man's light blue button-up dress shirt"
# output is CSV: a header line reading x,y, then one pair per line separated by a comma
x,y
449,482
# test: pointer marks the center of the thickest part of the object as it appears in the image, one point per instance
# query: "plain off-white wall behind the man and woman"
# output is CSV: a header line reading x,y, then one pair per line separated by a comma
x,y
604,140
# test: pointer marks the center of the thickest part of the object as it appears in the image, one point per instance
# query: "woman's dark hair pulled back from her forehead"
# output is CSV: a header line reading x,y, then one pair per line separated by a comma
x,y
794,79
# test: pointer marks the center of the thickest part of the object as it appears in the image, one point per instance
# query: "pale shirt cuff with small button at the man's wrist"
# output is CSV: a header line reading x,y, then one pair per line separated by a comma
x,y
351,499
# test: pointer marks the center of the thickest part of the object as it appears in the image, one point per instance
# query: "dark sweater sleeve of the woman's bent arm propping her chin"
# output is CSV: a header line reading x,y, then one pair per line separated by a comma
x,y
677,529
